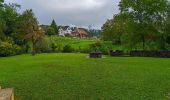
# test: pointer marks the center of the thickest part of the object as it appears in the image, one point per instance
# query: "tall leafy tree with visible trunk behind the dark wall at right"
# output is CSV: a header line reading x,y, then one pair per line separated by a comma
x,y
146,15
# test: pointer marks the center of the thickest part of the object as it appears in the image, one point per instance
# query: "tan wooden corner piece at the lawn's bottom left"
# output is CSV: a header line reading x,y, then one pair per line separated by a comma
x,y
6,94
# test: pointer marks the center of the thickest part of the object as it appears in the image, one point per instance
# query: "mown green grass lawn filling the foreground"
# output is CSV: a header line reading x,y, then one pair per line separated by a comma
x,y
76,77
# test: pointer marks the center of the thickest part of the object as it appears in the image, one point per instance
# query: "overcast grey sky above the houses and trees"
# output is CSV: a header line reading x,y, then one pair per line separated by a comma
x,y
81,13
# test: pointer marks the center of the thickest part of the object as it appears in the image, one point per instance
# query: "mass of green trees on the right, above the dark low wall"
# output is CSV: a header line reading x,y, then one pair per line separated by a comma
x,y
140,24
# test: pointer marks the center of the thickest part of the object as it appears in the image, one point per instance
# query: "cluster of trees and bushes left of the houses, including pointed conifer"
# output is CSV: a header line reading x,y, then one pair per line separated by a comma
x,y
20,32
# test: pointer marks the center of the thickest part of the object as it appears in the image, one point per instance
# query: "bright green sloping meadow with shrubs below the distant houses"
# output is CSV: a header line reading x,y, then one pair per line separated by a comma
x,y
81,45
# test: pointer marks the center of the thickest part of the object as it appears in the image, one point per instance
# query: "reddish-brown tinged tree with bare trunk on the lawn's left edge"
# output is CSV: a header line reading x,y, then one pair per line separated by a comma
x,y
29,29
